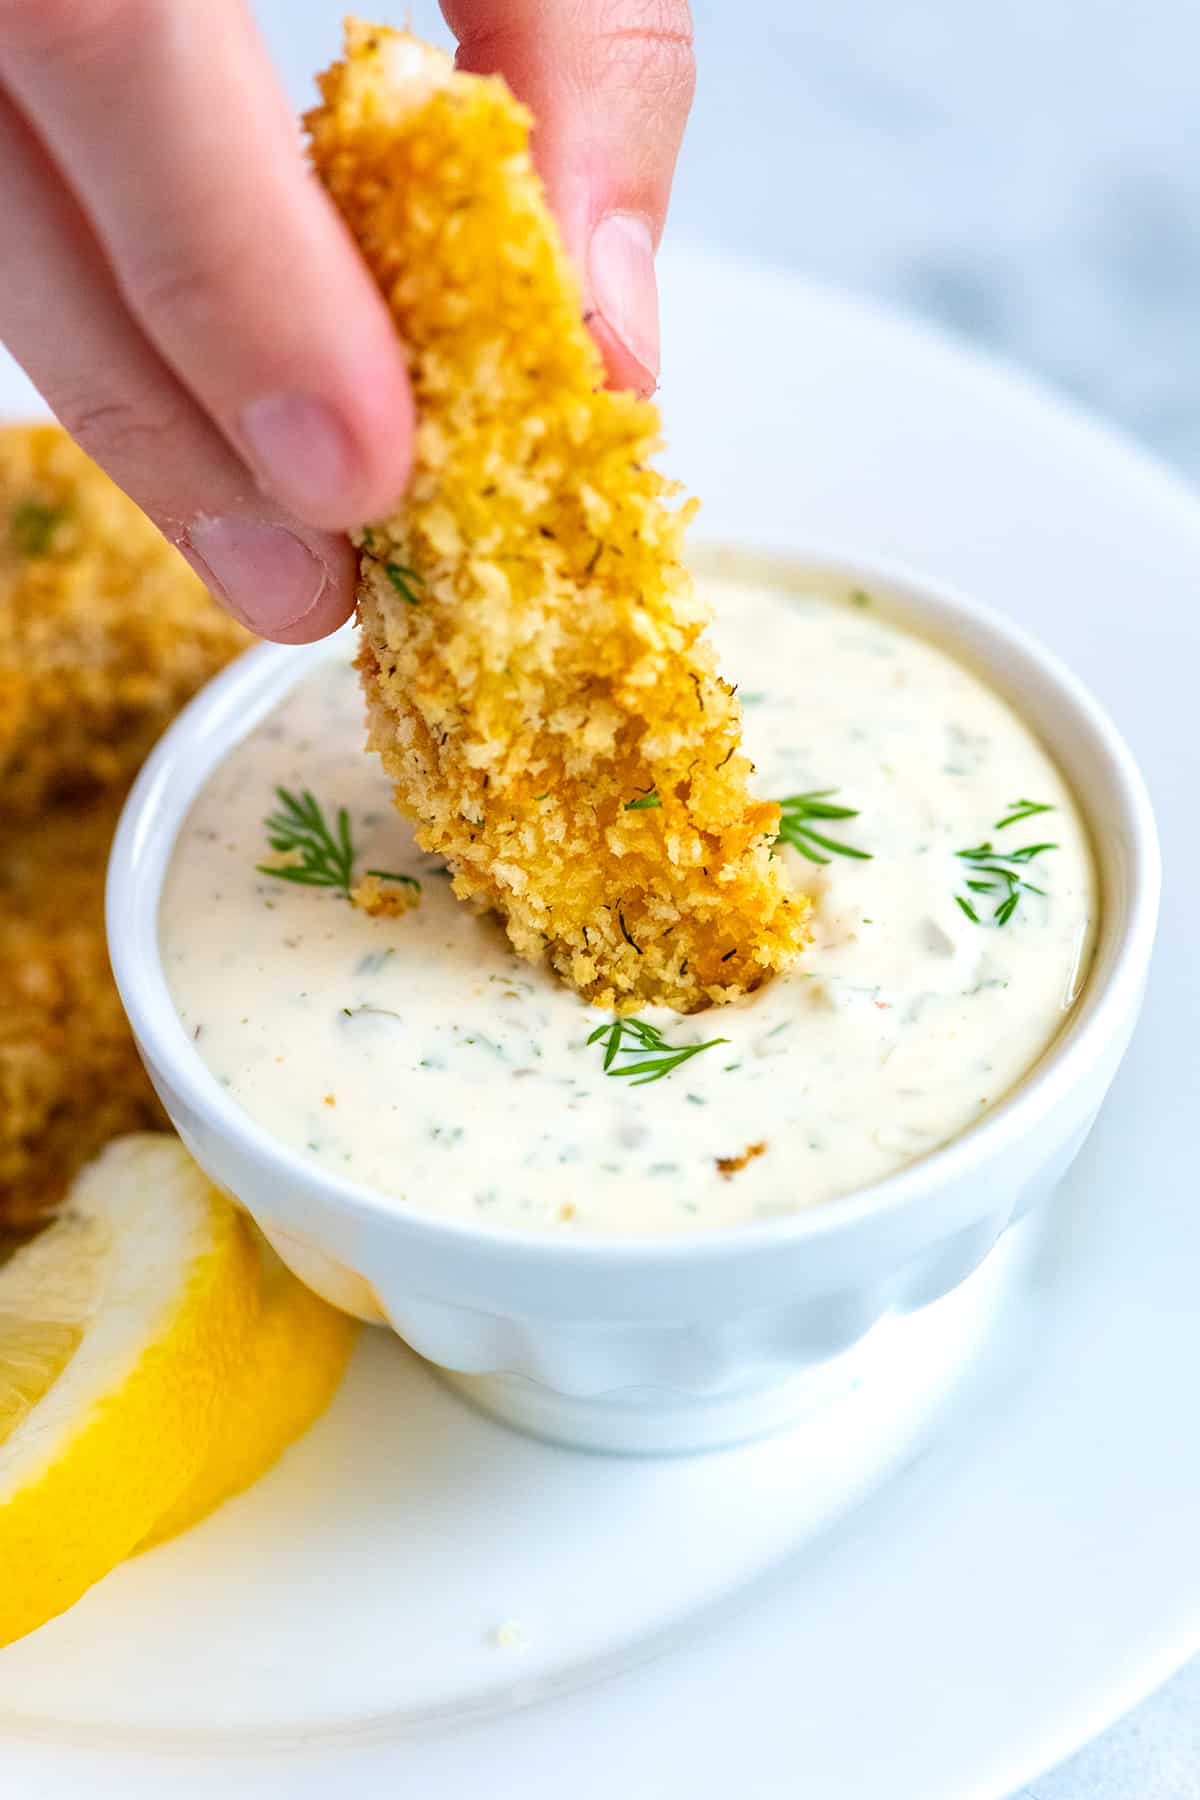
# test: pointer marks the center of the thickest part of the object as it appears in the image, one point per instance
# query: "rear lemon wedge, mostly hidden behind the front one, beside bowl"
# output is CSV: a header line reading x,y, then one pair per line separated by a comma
x,y
296,1360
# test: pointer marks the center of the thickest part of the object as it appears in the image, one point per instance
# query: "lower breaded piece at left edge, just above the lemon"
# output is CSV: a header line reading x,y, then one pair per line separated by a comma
x,y
71,1075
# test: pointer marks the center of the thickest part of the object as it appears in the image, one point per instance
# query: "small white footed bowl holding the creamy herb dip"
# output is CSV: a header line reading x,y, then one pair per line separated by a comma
x,y
665,1344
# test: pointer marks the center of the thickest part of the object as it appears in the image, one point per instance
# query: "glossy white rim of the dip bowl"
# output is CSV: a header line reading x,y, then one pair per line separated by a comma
x,y
190,750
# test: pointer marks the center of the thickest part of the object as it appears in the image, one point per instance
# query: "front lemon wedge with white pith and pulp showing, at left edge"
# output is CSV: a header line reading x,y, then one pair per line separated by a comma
x,y
121,1329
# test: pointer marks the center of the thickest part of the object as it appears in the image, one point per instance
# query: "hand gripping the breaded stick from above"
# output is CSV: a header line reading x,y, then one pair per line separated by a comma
x,y
192,307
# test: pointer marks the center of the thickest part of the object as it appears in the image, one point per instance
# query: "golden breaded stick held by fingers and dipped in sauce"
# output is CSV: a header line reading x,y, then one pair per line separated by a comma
x,y
537,679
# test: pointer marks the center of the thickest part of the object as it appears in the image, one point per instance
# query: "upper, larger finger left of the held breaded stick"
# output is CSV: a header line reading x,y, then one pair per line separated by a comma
x,y
166,121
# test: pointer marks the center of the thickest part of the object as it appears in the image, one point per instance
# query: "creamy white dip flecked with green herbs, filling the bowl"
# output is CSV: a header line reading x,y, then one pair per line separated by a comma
x,y
420,1057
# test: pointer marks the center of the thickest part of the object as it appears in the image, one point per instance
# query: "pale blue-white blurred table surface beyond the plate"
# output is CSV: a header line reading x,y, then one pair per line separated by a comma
x,y
1025,175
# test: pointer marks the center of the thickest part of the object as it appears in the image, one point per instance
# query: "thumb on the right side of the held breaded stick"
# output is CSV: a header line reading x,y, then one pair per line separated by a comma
x,y
609,84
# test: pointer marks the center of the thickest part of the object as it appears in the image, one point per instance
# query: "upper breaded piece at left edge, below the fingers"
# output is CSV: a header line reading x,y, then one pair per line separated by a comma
x,y
103,627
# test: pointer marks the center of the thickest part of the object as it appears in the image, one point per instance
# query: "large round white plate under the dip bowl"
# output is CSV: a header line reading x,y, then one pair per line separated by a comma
x,y
917,1601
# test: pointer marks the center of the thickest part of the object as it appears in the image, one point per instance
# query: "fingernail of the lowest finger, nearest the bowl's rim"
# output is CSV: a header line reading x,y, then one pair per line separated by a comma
x,y
265,575
